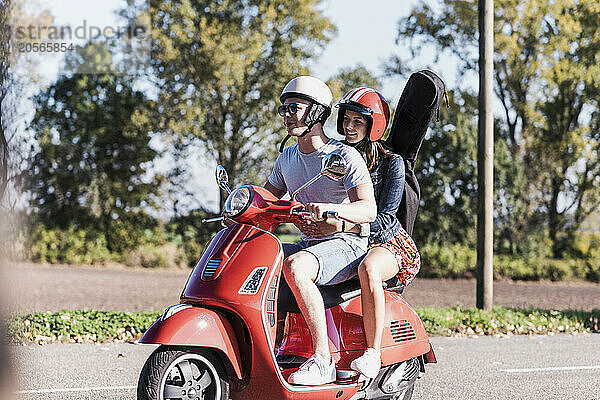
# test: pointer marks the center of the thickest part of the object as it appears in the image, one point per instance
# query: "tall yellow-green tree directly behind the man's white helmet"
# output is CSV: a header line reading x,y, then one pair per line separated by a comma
x,y
220,67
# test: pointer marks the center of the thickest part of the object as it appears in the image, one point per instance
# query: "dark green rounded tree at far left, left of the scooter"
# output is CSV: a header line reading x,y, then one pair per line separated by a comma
x,y
93,164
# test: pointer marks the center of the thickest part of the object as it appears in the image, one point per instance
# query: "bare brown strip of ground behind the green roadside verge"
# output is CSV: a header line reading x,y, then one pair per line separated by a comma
x,y
38,287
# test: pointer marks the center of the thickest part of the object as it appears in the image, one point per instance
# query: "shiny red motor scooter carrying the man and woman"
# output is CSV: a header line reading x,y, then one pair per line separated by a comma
x,y
220,341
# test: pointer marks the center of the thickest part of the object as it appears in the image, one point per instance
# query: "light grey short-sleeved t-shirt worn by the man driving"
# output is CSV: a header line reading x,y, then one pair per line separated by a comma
x,y
294,168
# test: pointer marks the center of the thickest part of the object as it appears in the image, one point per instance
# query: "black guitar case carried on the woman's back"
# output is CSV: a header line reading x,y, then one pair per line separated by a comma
x,y
419,103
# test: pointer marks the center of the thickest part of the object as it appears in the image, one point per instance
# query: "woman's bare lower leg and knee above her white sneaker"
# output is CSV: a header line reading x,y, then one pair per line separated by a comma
x,y
379,265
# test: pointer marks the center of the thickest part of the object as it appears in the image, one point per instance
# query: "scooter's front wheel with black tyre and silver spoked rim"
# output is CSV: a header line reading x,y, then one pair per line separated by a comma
x,y
171,373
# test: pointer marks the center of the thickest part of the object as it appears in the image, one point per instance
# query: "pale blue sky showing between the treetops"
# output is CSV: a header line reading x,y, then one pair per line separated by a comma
x,y
366,35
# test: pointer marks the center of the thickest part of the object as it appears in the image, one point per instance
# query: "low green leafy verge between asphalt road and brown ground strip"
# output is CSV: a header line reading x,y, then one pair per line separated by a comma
x,y
109,326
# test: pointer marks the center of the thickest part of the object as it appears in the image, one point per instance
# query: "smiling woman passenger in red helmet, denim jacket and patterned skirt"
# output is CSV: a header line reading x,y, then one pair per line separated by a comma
x,y
362,119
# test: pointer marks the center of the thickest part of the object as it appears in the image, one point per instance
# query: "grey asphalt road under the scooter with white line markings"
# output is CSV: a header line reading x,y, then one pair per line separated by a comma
x,y
537,367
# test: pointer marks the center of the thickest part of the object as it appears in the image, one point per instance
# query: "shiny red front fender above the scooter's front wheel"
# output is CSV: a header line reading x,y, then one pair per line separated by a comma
x,y
196,327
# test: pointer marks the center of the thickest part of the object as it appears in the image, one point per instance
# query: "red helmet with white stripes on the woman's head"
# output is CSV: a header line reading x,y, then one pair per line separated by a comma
x,y
371,104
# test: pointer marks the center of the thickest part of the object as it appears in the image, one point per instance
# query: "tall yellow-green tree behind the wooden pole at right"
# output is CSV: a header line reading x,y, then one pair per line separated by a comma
x,y
547,81
